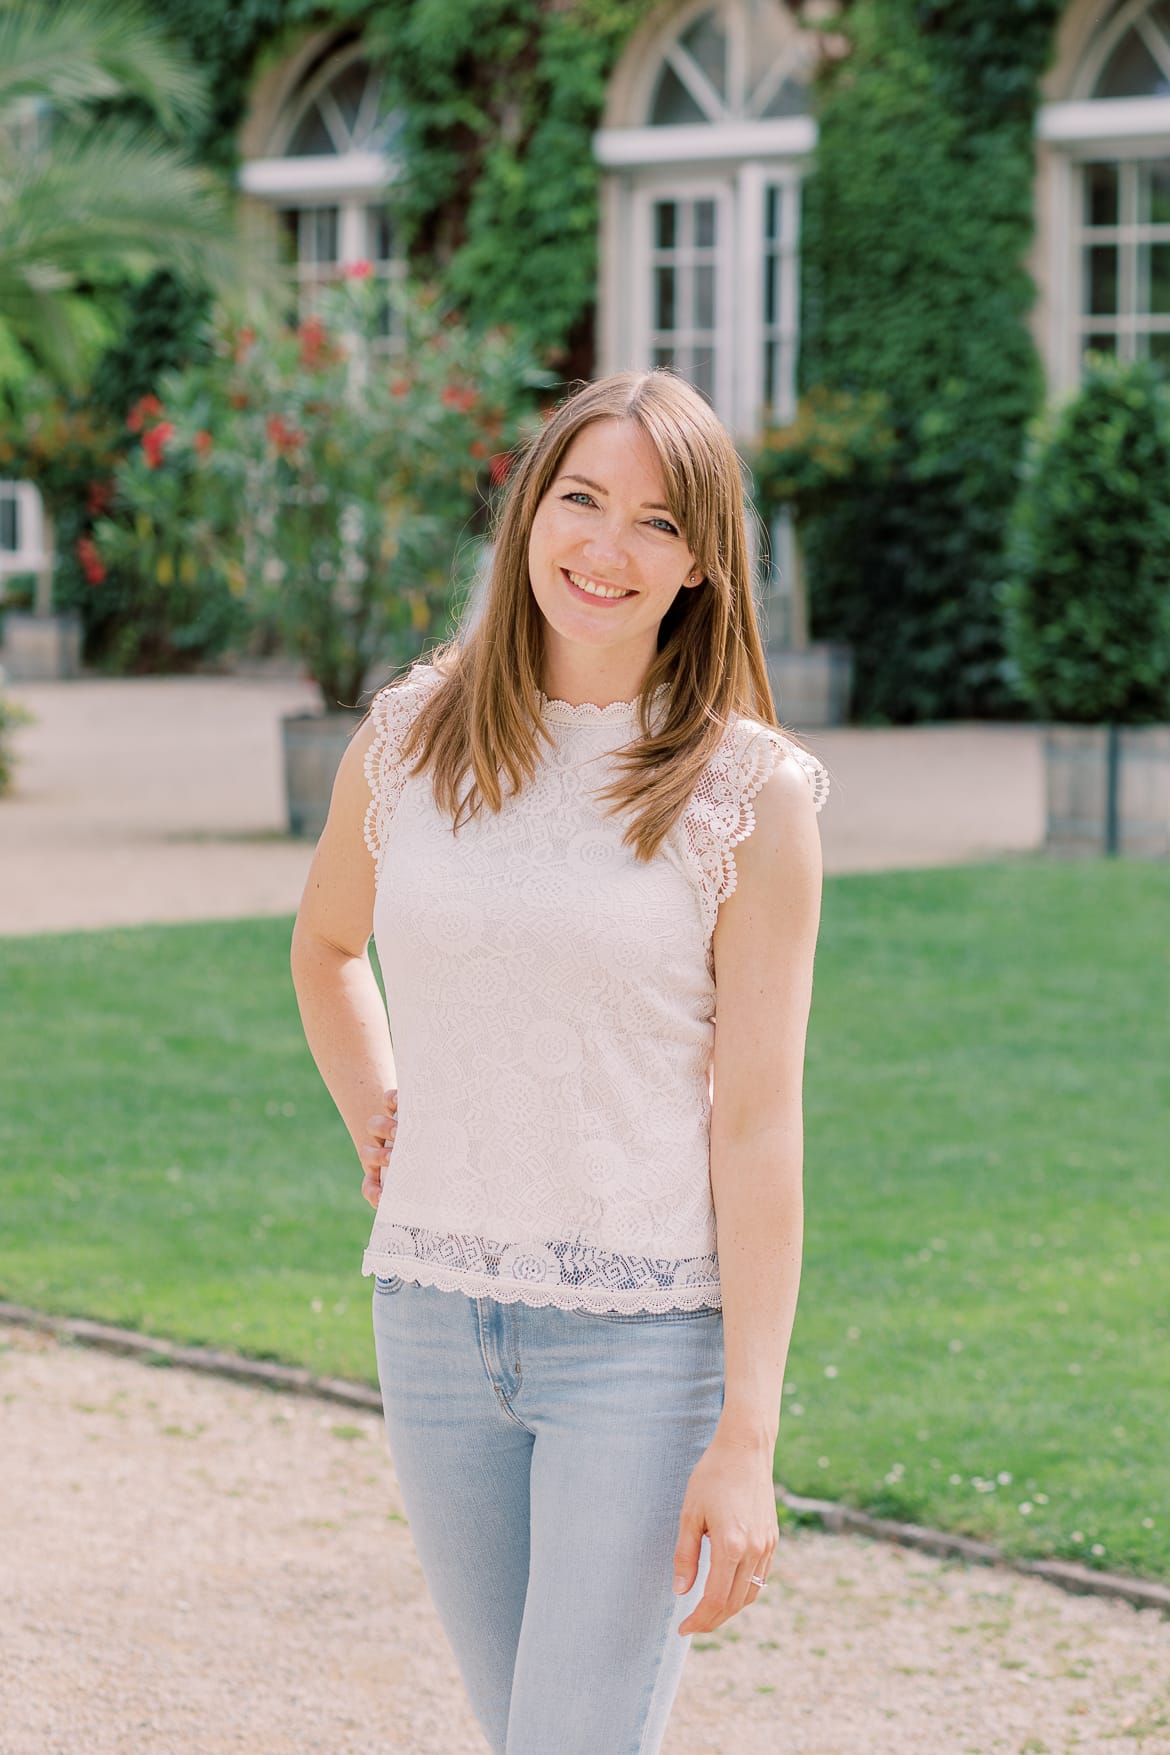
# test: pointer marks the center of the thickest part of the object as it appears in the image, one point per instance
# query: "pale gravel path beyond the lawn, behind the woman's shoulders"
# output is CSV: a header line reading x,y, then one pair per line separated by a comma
x,y
155,799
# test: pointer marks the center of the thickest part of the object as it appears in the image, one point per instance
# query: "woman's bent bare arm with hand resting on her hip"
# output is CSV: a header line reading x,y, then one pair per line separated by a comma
x,y
338,992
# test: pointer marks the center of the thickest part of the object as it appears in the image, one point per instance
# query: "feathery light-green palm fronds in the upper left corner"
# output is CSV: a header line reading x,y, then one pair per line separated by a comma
x,y
92,189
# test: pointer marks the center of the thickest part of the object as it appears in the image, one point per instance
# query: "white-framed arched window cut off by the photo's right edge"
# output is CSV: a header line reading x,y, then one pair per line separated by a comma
x,y
1111,192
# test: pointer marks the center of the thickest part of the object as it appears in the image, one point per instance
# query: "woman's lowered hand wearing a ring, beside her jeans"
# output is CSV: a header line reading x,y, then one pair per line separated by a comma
x,y
732,1500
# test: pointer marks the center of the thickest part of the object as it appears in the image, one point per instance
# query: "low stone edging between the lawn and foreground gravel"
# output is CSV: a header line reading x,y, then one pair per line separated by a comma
x,y
836,1519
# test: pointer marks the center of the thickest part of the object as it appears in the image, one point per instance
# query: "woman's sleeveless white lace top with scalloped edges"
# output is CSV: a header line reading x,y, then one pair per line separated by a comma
x,y
552,1005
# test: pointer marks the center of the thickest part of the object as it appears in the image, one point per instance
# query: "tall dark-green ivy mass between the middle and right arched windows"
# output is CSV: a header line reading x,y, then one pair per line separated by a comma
x,y
917,226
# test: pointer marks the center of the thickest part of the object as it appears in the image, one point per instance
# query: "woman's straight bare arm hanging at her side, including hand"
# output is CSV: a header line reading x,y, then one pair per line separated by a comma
x,y
764,945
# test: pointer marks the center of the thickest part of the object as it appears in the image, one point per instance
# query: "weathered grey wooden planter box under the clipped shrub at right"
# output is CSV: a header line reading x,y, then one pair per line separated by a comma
x,y
1076,763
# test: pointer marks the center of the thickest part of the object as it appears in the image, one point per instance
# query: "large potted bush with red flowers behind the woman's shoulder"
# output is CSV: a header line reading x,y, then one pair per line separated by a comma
x,y
329,475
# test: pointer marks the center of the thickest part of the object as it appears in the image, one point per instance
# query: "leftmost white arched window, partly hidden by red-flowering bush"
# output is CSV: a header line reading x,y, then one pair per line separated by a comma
x,y
331,159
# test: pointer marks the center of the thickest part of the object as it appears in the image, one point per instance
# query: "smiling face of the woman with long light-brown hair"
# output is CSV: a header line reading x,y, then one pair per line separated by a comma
x,y
606,555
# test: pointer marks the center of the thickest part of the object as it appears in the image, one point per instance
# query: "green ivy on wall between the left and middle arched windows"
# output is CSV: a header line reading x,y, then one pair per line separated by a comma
x,y
499,101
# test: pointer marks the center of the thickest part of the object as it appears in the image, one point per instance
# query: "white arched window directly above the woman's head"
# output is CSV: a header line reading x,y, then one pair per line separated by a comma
x,y
708,134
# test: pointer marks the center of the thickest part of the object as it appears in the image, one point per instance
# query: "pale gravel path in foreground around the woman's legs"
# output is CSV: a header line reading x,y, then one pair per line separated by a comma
x,y
196,1566
